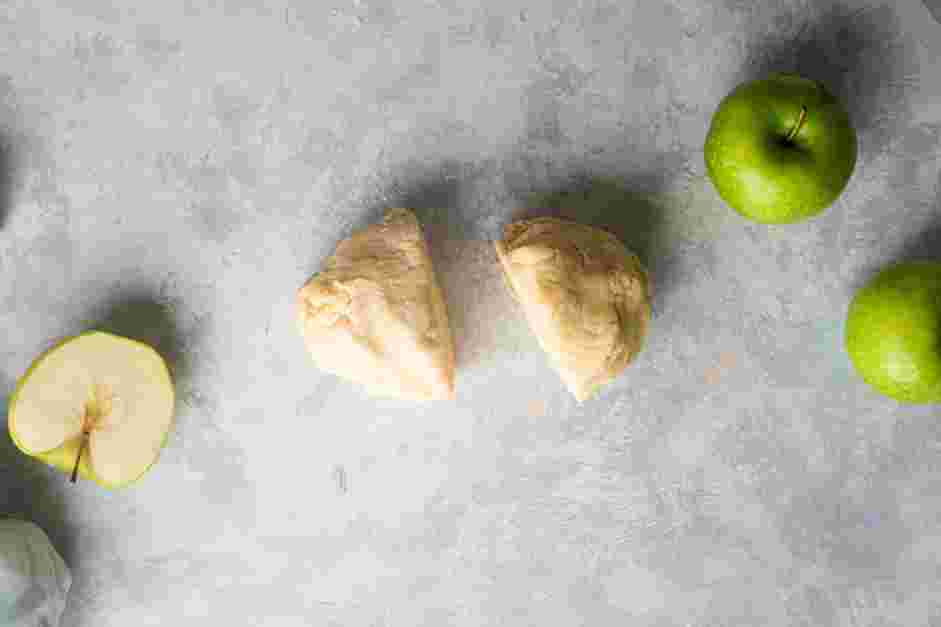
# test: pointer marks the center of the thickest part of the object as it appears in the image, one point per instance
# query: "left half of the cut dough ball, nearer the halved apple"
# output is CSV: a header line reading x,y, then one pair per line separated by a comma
x,y
376,315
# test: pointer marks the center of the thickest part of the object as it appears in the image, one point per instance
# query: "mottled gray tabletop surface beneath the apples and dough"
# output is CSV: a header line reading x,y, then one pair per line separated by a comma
x,y
175,170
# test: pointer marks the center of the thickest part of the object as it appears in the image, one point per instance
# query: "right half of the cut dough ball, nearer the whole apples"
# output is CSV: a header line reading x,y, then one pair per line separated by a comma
x,y
586,297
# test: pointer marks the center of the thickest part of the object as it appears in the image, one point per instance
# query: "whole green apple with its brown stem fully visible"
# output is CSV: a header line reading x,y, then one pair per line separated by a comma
x,y
780,149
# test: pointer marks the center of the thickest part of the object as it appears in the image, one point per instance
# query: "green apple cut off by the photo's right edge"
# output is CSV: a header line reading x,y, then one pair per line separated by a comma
x,y
893,332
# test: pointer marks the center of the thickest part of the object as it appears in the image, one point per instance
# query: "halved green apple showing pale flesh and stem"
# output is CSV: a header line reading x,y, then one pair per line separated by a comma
x,y
96,405
